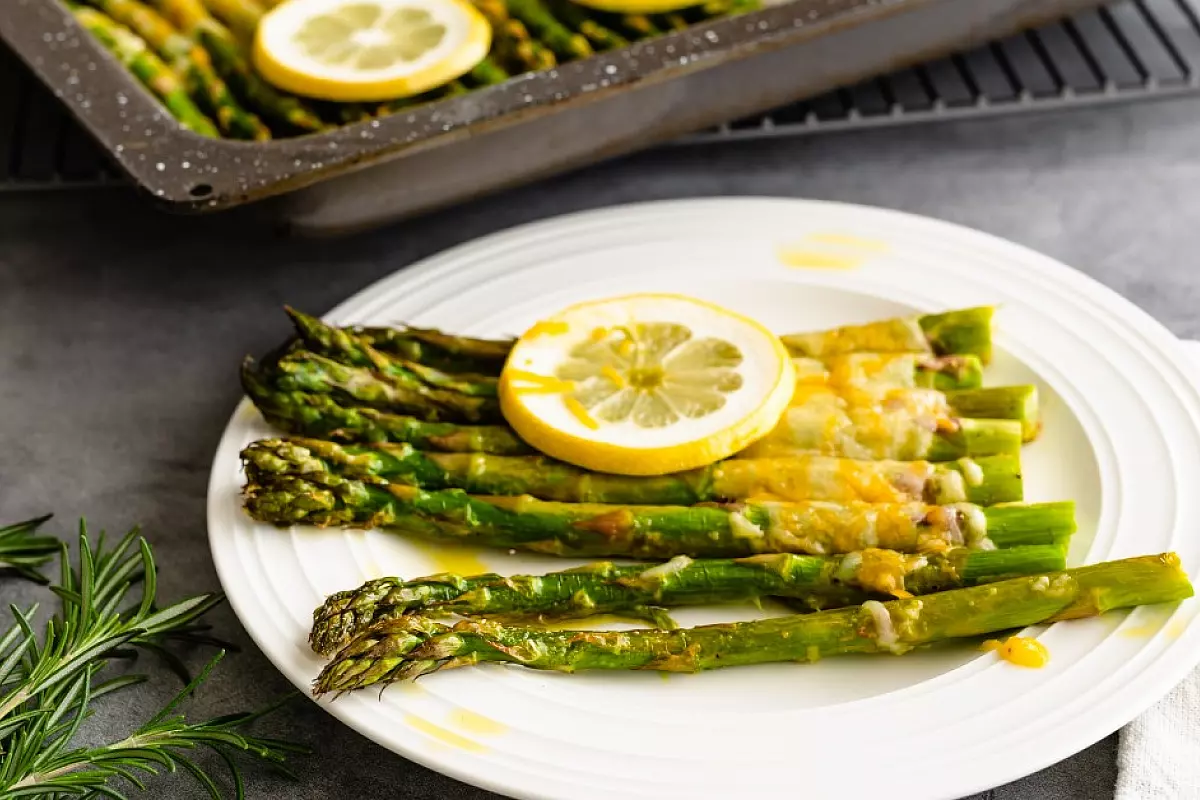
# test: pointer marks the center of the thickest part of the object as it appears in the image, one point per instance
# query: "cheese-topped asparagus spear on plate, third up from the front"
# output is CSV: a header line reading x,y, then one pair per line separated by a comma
x,y
734,531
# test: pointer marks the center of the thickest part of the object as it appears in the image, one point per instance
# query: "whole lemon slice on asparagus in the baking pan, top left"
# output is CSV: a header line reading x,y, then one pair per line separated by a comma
x,y
369,51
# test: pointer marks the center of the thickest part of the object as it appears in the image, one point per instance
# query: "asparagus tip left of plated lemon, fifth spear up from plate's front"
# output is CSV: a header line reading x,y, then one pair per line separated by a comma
x,y
320,416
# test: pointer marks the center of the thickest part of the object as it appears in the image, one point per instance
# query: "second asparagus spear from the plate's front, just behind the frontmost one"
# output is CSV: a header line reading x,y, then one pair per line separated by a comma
x,y
639,591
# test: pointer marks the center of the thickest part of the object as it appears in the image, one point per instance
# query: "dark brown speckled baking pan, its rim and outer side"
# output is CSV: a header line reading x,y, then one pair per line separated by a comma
x,y
531,127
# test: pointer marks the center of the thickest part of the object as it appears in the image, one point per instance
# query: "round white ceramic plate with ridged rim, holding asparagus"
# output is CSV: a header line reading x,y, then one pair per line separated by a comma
x,y
1123,438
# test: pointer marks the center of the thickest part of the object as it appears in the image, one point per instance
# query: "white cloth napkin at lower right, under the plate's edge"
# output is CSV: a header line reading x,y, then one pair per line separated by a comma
x,y
1159,757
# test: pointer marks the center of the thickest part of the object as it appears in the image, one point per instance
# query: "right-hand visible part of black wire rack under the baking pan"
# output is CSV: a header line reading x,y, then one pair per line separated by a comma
x,y
1127,51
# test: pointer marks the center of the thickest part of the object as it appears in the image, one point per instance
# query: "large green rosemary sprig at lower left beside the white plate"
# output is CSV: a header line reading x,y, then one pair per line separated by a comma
x,y
109,607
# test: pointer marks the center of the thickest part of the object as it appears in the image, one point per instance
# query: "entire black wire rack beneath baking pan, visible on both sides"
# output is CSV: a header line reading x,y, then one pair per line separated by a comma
x,y
1127,51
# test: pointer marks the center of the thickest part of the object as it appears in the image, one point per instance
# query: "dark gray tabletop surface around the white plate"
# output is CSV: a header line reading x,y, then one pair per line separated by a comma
x,y
122,329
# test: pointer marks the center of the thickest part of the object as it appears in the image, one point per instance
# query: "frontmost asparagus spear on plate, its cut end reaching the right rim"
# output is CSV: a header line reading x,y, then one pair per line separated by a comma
x,y
411,647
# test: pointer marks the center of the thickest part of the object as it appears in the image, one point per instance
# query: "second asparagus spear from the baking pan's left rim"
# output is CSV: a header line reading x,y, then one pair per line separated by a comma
x,y
191,63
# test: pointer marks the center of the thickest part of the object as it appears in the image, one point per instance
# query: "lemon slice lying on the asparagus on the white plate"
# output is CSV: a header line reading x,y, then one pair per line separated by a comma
x,y
646,384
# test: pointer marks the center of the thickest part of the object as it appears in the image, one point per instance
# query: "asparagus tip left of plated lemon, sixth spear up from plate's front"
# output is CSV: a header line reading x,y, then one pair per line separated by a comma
x,y
361,387
